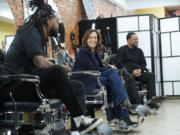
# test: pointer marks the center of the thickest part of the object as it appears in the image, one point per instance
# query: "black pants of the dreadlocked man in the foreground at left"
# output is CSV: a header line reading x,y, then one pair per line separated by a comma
x,y
55,84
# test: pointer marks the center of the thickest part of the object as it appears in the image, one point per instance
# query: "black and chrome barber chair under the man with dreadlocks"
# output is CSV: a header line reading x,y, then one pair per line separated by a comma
x,y
38,117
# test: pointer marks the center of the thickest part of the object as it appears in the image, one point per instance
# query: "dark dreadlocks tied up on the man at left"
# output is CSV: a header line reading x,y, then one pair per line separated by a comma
x,y
43,12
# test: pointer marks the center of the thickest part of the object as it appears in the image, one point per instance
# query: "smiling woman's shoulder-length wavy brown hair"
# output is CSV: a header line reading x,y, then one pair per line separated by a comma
x,y
86,36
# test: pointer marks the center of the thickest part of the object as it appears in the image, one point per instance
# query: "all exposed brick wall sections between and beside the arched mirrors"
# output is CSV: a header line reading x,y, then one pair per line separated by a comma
x,y
72,11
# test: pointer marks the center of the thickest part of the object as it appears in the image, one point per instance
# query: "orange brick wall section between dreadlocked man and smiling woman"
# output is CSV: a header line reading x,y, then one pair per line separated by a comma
x,y
72,12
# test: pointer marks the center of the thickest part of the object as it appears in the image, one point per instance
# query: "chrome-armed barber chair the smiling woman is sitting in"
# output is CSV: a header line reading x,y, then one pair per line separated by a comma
x,y
96,99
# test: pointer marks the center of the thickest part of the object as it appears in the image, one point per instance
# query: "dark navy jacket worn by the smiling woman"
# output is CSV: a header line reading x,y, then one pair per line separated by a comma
x,y
86,61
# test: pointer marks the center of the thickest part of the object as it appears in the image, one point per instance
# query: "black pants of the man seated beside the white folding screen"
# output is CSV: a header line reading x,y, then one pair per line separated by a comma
x,y
148,78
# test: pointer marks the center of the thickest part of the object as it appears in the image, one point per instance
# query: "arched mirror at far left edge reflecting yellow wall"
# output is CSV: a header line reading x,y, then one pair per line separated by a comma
x,y
6,26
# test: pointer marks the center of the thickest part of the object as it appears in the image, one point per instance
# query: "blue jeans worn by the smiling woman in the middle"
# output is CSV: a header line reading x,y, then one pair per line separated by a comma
x,y
110,78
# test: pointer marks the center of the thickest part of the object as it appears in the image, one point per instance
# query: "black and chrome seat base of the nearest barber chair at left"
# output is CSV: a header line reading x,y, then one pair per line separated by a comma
x,y
31,113
